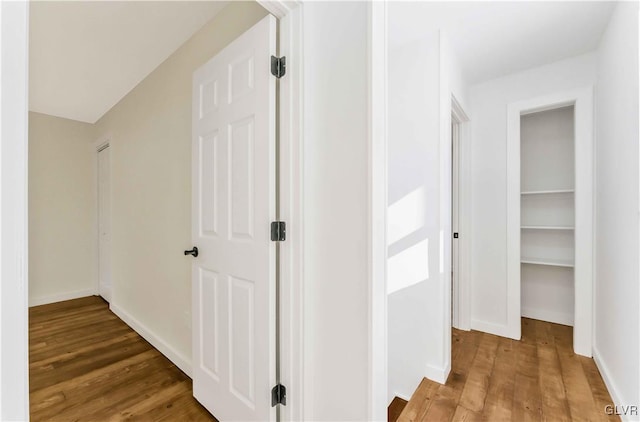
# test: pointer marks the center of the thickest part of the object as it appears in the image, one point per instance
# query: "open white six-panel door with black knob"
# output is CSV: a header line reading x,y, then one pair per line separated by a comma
x,y
233,205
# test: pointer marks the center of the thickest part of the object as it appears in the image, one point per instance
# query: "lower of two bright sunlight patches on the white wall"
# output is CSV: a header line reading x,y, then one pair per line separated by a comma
x,y
408,267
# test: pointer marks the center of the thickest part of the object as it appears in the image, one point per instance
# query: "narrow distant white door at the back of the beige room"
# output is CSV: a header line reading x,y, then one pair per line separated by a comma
x,y
104,222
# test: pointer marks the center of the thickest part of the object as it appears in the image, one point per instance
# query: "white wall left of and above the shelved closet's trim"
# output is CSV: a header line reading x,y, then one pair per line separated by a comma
x,y
488,101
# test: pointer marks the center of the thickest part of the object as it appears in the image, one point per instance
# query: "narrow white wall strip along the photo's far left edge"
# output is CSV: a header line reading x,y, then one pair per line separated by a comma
x,y
14,361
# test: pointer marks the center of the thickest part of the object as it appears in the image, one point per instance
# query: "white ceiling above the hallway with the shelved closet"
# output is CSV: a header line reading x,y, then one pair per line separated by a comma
x,y
493,39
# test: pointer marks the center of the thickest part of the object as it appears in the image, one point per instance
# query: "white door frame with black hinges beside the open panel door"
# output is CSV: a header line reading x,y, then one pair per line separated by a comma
x,y
289,15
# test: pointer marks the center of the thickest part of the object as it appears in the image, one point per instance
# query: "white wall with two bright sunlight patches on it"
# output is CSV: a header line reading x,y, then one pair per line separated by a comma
x,y
422,78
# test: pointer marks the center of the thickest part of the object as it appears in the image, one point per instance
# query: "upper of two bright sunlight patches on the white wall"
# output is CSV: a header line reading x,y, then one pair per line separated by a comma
x,y
406,215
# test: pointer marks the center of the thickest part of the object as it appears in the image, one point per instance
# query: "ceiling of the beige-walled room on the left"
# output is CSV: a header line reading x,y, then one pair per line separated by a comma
x,y
86,55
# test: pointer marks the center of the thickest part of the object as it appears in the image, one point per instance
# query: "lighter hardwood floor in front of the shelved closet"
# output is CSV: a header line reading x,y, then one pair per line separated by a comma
x,y
498,379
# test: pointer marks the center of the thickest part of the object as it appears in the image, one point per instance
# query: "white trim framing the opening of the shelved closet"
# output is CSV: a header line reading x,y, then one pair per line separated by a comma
x,y
582,99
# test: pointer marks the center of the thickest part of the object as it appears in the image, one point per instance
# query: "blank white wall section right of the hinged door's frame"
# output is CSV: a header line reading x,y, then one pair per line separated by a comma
x,y
336,272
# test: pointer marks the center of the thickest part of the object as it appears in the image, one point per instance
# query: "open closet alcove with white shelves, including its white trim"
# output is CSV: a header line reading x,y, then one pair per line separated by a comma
x,y
550,213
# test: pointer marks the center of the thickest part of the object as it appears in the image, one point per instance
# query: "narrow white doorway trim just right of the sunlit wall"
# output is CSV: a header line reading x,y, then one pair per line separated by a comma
x,y
461,315
